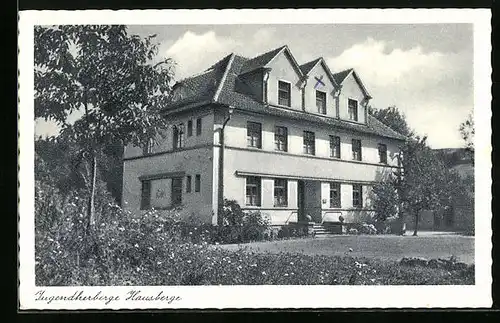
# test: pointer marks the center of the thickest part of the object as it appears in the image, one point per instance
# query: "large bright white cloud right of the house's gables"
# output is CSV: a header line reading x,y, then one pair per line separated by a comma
x,y
433,89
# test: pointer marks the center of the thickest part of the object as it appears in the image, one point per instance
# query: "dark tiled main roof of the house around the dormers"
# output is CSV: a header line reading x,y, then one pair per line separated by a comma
x,y
225,92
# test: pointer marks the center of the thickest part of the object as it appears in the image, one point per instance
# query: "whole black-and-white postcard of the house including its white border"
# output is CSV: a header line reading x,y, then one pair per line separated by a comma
x,y
168,162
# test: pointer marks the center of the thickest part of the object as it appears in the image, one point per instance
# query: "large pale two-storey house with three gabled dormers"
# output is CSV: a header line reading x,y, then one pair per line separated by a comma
x,y
293,141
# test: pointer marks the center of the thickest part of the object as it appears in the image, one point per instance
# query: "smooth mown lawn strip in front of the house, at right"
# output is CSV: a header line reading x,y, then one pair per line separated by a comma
x,y
384,247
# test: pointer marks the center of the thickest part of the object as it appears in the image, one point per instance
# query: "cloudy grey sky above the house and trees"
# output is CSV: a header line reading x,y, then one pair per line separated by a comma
x,y
426,71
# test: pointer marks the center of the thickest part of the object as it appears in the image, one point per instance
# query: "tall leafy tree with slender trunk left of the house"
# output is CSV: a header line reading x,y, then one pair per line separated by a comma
x,y
108,77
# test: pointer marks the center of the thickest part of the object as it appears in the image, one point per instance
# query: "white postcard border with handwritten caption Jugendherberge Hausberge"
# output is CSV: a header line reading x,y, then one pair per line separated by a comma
x,y
478,295
